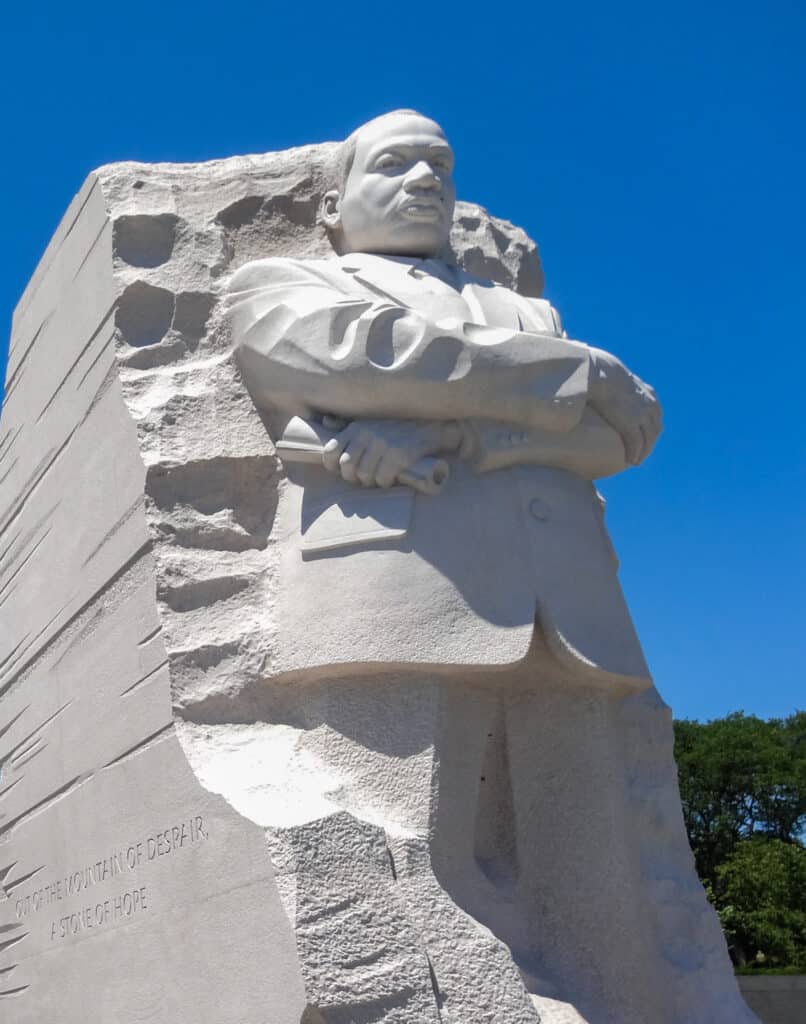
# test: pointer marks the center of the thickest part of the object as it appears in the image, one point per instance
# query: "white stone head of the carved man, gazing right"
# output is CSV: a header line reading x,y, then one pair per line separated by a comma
x,y
396,195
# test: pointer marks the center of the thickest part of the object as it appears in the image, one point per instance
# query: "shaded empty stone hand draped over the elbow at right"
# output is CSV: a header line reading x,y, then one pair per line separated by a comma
x,y
627,404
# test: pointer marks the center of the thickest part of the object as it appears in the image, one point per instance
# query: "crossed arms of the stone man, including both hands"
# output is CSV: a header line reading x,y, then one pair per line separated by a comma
x,y
310,344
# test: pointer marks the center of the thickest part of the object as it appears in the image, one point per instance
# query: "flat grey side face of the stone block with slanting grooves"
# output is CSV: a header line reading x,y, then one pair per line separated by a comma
x,y
103,917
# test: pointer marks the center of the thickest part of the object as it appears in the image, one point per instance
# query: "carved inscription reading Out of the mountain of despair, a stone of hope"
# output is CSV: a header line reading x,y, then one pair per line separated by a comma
x,y
100,911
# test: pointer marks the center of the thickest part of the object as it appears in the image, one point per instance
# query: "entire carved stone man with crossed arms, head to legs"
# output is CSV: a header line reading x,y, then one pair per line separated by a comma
x,y
448,611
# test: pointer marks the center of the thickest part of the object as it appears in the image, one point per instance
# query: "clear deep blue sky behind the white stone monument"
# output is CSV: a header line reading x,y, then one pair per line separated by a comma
x,y
657,152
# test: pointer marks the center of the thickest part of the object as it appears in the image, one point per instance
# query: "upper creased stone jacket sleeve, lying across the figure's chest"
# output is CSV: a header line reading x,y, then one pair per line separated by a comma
x,y
307,347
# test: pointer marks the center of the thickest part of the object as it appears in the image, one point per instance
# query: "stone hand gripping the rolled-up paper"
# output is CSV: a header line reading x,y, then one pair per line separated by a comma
x,y
374,453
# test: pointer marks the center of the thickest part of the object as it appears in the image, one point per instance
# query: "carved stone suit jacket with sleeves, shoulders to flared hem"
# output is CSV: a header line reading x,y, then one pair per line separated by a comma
x,y
368,576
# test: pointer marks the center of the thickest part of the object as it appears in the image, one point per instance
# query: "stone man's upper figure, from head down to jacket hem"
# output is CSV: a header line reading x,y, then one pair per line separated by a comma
x,y
423,360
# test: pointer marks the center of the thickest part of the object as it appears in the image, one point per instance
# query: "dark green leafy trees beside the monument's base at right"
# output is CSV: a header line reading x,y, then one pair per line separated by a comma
x,y
743,785
